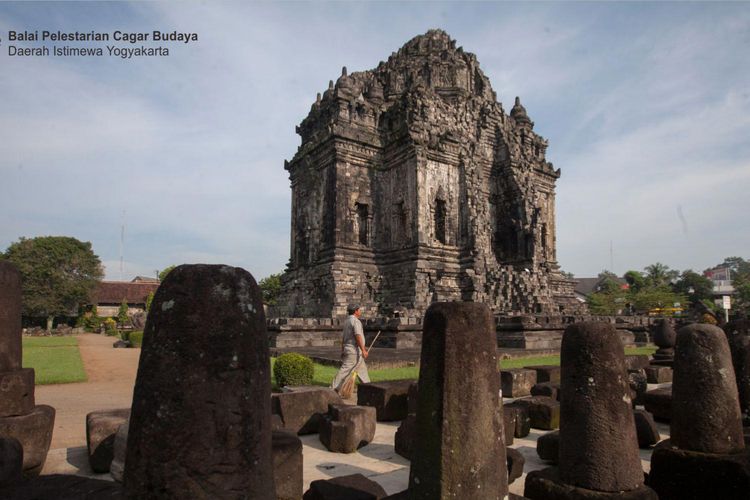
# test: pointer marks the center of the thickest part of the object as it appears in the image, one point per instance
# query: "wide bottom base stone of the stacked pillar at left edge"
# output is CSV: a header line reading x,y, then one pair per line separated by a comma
x,y
34,432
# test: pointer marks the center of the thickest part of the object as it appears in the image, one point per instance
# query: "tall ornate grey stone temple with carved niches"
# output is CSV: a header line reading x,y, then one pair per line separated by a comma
x,y
412,185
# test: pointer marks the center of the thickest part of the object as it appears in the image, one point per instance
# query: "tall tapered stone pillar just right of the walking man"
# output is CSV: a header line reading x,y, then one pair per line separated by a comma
x,y
459,450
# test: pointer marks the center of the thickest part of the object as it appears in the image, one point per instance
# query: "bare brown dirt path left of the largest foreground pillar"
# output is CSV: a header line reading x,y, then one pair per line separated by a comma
x,y
111,378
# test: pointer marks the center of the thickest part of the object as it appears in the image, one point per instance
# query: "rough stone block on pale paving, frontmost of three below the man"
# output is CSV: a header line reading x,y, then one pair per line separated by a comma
x,y
348,427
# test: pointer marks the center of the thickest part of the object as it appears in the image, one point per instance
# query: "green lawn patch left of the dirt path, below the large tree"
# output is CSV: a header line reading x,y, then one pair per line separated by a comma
x,y
55,360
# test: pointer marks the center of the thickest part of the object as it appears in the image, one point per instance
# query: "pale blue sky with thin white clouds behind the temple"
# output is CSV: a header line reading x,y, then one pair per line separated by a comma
x,y
646,107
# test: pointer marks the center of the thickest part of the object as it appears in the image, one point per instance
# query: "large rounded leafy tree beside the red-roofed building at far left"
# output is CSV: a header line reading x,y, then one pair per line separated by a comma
x,y
58,274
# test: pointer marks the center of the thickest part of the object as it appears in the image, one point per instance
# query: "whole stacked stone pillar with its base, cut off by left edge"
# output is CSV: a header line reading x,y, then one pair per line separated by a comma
x,y
20,418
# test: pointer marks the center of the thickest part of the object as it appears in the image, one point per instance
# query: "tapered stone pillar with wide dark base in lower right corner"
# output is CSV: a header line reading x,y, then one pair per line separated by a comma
x,y
705,456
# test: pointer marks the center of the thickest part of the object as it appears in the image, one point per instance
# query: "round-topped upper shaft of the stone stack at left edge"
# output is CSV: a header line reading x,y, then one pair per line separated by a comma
x,y
10,317
